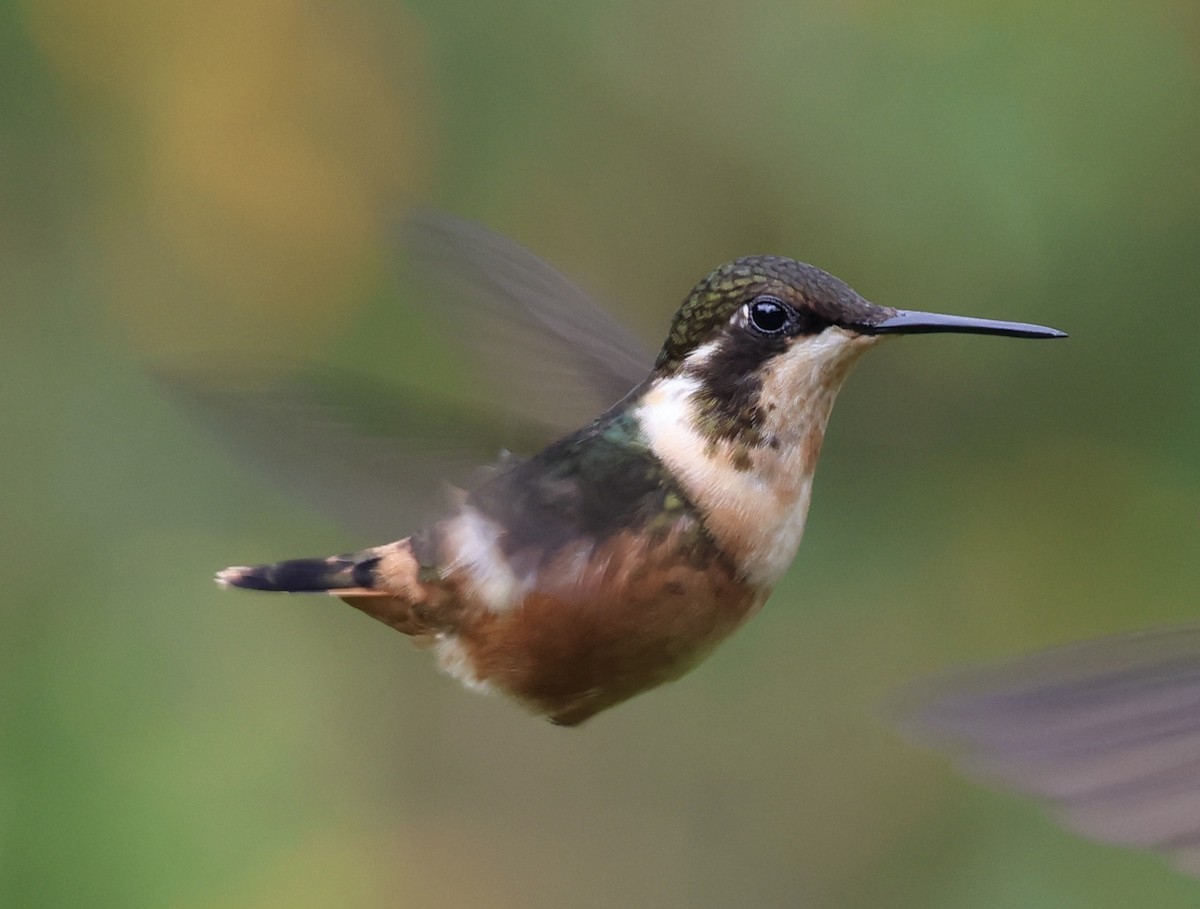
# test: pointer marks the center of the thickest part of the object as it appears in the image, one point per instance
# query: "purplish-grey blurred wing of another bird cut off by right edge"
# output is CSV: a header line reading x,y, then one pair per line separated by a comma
x,y
1107,733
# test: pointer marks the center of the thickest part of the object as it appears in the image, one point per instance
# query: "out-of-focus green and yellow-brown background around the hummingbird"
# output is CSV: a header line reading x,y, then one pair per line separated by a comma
x,y
184,179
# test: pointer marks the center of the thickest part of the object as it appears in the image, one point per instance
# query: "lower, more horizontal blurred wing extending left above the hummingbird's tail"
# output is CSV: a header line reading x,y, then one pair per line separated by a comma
x,y
364,453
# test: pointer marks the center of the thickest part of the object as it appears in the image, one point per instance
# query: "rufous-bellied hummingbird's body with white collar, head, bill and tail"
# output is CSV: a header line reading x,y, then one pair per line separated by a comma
x,y
623,553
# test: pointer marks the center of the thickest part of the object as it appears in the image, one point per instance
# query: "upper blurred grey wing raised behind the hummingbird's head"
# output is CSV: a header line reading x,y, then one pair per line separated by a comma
x,y
547,348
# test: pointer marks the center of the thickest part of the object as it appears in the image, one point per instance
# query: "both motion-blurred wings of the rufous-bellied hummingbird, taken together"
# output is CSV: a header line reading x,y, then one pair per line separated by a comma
x,y
379,457
